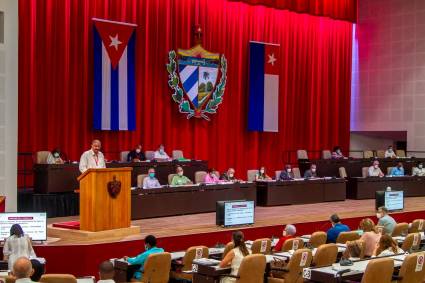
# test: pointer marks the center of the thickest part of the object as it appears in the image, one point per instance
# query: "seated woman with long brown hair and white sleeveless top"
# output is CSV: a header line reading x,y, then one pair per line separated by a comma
x,y
234,257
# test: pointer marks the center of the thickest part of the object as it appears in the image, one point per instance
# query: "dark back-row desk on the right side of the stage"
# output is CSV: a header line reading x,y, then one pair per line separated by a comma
x,y
353,166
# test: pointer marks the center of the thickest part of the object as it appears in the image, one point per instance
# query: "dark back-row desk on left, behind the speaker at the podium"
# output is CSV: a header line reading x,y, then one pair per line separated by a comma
x,y
59,178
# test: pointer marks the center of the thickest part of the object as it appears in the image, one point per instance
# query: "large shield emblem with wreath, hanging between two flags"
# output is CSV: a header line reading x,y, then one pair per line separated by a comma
x,y
193,76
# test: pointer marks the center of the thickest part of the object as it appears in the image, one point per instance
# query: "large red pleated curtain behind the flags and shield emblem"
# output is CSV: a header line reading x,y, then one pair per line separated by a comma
x,y
56,80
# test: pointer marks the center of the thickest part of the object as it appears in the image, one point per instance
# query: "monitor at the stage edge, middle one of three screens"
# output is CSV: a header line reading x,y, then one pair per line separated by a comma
x,y
234,213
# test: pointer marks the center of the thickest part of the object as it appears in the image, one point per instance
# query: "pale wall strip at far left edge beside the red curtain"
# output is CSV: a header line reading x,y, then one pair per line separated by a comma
x,y
9,104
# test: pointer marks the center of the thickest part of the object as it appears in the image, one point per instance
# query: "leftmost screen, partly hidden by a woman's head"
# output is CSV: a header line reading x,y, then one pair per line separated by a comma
x,y
33,224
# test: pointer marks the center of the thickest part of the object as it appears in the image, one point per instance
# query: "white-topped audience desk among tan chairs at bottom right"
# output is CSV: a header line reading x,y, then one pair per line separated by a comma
x,y
337,273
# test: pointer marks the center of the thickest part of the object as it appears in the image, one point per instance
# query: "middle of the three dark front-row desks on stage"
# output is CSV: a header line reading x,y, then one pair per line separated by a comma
x,y
300,191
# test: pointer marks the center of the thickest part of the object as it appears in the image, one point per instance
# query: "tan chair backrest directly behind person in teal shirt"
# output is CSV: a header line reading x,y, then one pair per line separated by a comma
x,y
157,268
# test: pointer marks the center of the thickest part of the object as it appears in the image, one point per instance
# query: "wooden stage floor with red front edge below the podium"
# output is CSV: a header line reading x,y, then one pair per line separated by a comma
x,y
82,256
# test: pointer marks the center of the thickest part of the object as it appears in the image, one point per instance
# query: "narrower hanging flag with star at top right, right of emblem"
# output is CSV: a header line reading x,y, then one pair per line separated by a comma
x,y
263,109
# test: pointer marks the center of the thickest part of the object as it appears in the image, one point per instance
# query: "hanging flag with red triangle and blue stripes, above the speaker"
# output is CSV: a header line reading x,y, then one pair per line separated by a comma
x,y
114,76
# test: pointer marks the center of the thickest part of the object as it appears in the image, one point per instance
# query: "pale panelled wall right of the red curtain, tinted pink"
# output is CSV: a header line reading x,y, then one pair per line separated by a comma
x,y
389,83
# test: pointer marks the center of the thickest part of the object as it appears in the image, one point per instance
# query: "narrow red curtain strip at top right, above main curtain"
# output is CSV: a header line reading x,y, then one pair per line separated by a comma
x,y
335,9
